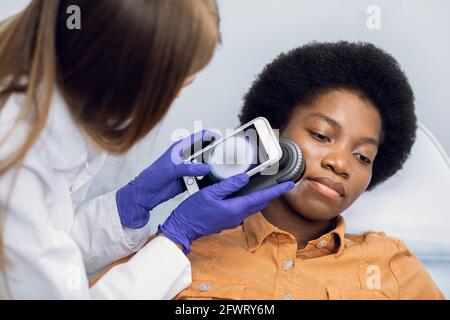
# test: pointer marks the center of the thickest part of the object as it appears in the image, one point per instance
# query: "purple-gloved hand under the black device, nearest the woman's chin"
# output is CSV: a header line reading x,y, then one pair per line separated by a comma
x,y
207,212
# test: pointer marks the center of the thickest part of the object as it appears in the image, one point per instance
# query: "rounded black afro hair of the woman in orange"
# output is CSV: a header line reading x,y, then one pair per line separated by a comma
x,y
295,78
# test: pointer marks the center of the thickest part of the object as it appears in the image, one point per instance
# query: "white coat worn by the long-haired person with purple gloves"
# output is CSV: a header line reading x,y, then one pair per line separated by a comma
x,y
52,238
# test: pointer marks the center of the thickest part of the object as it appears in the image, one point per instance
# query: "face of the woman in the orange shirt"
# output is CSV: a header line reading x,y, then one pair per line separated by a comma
x,y
339,135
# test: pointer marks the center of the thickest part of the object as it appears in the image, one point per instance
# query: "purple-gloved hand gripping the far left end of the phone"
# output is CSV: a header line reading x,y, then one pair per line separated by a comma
x,y
159,182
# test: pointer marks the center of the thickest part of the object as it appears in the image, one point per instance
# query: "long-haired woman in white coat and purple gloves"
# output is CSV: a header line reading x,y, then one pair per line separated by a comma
x,y
69,96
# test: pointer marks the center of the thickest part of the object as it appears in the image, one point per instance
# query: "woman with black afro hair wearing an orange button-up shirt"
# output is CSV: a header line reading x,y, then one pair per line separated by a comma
x,y
351,109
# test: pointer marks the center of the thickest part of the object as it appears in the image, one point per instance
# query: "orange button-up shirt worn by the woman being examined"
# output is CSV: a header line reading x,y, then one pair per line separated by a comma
x,y
259,261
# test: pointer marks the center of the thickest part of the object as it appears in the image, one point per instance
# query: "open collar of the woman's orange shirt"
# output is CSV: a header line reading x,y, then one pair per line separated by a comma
x,y
257,229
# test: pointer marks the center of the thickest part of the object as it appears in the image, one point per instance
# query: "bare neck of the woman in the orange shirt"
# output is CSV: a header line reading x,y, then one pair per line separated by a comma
x,y
281,215
